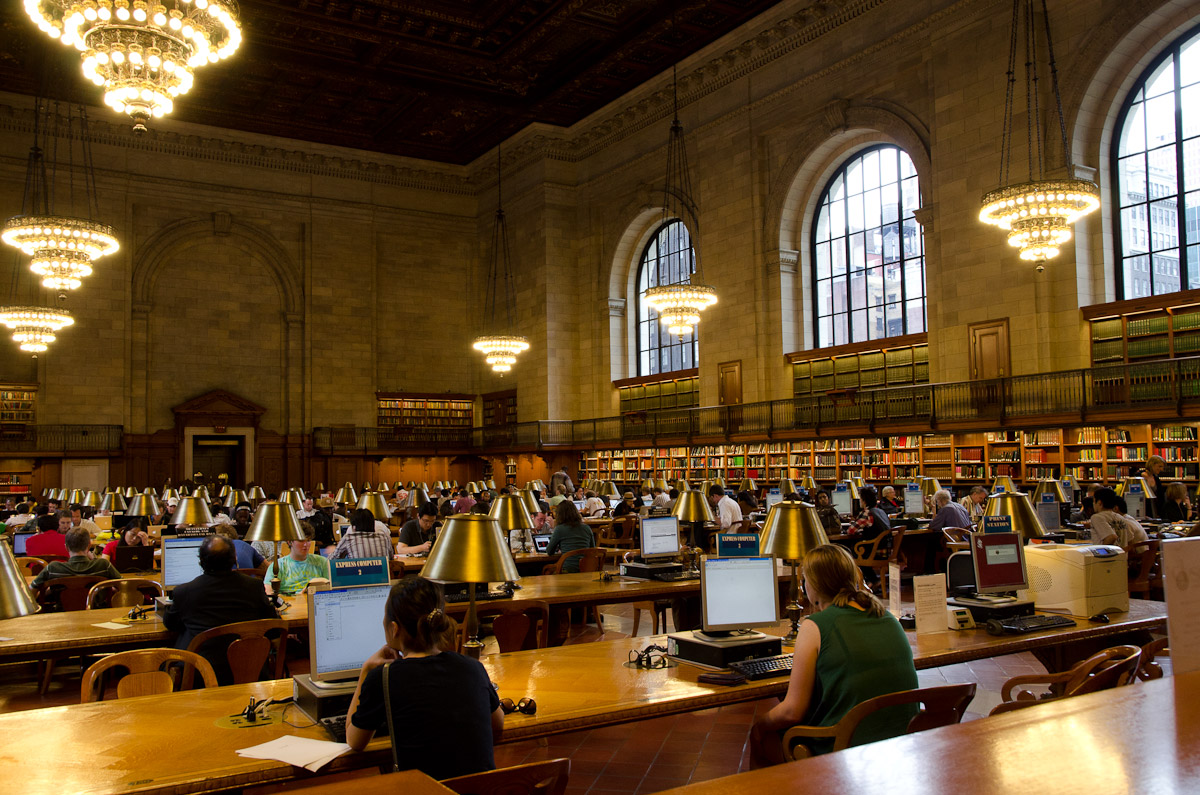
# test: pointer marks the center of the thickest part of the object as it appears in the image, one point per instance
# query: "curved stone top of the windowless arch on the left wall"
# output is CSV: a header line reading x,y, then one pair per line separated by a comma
x,y
184,235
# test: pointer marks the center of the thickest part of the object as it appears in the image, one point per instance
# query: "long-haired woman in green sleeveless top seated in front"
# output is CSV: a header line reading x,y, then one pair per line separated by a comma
x,y
849,651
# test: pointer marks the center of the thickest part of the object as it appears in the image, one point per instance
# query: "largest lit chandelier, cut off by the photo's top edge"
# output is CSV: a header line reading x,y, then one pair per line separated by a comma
x,y
142,52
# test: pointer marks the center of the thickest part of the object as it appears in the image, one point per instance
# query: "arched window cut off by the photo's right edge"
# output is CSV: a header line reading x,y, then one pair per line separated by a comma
x,y
1156,158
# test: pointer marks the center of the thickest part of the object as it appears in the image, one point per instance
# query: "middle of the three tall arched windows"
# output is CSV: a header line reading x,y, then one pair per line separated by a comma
x,y
868,254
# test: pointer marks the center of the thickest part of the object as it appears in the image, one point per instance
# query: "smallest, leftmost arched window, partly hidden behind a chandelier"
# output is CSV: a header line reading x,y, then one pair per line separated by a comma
x,y
669,259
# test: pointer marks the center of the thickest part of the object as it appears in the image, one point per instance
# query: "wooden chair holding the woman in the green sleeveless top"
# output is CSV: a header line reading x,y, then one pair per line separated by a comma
x,y
940,707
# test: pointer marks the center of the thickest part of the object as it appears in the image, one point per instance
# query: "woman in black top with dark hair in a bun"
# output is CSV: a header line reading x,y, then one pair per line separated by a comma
x,y
446,715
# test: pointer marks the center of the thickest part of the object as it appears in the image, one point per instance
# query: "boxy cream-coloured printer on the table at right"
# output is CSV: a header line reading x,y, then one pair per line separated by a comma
x,y
1078,579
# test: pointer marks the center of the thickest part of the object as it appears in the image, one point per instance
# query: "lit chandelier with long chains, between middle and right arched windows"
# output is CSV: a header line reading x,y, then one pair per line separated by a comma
x,y
1039,213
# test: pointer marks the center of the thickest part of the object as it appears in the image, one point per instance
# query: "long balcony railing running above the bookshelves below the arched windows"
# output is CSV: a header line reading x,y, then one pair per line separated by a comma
x,y
1160,390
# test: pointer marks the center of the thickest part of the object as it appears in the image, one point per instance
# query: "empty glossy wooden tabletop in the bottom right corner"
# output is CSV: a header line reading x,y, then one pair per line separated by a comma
x,y
1139,739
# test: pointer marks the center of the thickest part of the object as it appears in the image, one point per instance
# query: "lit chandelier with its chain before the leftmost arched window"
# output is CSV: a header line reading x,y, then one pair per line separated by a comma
x,y
680,304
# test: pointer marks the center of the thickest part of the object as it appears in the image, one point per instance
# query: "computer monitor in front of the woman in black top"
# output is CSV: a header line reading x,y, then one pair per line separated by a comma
x,y
345,629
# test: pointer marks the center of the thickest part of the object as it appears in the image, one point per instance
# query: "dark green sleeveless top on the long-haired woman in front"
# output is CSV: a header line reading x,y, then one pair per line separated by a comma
x,y
861,657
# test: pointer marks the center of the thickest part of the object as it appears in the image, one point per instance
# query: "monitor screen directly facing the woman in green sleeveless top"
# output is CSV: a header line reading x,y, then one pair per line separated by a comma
x,y
739,593
